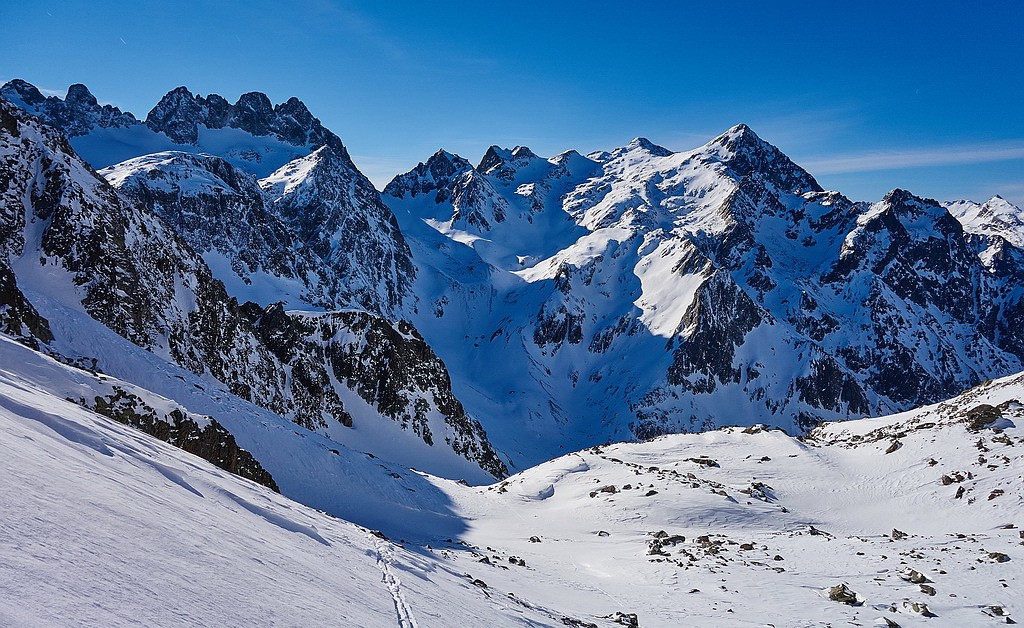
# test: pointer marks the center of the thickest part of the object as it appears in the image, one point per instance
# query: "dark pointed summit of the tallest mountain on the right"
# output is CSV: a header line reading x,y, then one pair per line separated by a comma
x,y
744,153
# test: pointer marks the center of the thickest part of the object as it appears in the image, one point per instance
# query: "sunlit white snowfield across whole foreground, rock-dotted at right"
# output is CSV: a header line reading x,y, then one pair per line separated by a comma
x,y
736,527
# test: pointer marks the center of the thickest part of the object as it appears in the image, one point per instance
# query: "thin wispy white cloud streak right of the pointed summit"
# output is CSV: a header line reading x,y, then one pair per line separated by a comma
x,y
917,158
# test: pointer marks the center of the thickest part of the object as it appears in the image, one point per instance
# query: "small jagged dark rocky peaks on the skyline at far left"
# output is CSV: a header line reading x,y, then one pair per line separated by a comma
x,y
76,115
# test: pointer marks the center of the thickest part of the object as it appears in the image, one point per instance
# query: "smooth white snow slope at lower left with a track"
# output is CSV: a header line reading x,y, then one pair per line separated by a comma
x,y
104,526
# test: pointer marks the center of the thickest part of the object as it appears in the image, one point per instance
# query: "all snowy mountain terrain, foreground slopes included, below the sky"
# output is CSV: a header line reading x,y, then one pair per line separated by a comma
x,y
240,386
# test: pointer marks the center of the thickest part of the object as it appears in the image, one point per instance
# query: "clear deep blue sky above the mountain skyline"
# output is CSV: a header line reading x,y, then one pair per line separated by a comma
x,y
868,96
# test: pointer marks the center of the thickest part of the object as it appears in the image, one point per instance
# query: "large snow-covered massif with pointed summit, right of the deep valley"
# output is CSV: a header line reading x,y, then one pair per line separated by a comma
x,y
648,291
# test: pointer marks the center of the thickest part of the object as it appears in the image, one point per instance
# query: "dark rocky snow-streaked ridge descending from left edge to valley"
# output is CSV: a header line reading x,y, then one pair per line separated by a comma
x,y
78,254
